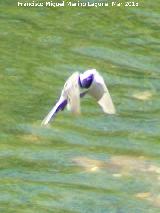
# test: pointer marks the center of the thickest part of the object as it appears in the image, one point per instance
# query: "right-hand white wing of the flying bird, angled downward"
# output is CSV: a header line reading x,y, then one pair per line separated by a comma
x,y
99,91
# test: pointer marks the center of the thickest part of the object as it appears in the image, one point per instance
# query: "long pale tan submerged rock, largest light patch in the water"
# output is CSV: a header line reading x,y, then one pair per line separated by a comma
x,y
118,165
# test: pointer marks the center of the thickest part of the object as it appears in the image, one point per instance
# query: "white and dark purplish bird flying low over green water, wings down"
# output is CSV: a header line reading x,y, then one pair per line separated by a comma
x,y
77,86
